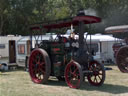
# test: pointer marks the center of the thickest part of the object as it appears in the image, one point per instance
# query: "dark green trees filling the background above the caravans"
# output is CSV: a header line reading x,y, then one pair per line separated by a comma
x,y
16,15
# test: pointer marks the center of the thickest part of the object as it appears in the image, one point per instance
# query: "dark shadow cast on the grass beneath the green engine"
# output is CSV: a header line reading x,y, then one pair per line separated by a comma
x,y
109,88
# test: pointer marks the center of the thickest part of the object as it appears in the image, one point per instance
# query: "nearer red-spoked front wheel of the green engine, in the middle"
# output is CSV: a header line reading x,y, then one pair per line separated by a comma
x,y
72,75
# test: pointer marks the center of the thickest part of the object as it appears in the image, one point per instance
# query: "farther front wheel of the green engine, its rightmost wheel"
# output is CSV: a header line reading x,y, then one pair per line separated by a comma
x,y
98,74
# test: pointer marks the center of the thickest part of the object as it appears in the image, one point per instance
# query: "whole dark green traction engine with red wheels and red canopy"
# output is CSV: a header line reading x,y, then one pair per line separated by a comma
x,y
60,58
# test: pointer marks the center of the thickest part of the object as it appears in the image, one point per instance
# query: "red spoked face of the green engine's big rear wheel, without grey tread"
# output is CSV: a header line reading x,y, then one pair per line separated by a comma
x,y
37,66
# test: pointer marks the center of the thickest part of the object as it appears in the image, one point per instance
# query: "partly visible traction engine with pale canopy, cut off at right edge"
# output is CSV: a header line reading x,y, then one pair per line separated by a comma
x,y
121,54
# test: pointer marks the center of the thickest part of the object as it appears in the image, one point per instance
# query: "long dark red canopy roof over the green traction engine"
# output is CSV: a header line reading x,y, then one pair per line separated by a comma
x,y
74,21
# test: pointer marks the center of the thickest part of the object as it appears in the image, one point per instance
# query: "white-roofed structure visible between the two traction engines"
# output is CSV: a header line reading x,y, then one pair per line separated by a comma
x,y
106,53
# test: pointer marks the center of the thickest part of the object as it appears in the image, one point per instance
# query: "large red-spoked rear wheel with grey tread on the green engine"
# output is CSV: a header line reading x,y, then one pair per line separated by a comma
x,y
39,66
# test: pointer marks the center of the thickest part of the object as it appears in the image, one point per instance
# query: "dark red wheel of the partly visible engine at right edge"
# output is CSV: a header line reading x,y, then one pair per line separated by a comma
x,y
122,59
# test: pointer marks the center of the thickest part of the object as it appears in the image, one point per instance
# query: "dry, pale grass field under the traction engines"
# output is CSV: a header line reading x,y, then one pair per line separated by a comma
x,y
18,83
